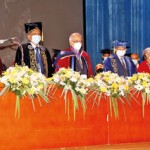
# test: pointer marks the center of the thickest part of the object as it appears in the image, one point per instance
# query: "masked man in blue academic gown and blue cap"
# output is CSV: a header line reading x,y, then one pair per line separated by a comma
x,y
118,63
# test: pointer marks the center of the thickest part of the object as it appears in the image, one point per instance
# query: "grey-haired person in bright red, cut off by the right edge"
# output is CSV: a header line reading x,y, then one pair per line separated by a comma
x,y
145,65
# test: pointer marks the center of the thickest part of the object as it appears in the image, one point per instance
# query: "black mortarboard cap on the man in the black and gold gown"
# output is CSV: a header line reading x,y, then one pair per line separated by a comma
x,y
30,26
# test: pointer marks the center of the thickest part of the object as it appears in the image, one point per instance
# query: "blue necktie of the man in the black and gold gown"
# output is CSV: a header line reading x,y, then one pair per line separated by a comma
x,y
39,61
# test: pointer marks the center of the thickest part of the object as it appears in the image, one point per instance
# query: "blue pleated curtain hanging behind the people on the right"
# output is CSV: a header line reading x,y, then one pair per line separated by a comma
x,y
108,20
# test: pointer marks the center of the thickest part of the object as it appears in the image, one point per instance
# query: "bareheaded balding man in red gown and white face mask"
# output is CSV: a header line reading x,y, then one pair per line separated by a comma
x,y
74,57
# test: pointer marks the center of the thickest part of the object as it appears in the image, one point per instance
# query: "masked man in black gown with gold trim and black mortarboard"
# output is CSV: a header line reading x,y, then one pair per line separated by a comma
x,y
34,55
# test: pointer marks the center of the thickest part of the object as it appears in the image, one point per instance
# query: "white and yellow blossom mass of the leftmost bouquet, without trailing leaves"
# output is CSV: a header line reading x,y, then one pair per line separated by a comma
x,y
23,79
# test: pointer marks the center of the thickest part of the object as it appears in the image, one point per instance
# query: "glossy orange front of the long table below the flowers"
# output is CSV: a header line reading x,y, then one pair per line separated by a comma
x,y
48,126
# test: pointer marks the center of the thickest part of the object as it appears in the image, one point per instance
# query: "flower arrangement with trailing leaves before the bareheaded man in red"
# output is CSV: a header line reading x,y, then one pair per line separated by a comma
x,y
73,82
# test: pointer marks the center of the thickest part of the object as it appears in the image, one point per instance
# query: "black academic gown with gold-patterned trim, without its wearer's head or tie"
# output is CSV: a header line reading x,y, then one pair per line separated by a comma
x,y
30,58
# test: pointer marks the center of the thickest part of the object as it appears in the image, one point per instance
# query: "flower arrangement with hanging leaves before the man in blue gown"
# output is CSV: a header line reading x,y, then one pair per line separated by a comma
x,y
111,86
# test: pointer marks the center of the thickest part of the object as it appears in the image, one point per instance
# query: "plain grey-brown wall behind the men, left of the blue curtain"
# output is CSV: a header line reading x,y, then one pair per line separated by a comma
x,y
59,17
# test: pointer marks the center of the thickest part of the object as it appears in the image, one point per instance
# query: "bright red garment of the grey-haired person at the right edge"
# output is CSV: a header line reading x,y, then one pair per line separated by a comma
x,y
143,67
